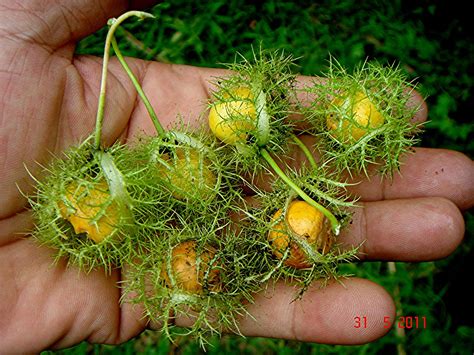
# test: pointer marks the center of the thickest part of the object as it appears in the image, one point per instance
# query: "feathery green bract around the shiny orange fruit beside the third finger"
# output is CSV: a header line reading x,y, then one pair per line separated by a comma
x,y
324,187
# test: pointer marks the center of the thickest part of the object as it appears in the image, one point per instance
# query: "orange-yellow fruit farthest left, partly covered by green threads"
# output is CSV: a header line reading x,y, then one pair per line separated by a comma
x,y
89,210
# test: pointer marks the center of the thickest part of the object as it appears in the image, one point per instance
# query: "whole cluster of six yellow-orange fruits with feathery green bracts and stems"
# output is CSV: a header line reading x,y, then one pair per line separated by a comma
x,y
182,210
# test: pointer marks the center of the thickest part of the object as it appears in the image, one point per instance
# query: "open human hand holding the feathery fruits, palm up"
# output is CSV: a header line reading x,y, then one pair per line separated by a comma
x,y
49,102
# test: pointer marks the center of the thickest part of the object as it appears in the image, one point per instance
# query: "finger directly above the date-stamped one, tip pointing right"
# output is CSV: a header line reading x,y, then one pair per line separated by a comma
x,y
421,229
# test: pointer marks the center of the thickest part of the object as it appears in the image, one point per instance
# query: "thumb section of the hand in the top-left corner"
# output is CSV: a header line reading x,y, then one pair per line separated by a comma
x,y
53,24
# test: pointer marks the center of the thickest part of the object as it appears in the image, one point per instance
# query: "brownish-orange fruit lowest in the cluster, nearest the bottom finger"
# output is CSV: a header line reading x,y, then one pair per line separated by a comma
x,y
187,274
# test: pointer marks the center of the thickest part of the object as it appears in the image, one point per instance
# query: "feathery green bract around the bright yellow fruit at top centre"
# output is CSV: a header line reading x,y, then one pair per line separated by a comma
x,y
270,78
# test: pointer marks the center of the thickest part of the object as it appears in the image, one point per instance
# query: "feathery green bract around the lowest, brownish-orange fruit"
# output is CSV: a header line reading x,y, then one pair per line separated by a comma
x,y
212,311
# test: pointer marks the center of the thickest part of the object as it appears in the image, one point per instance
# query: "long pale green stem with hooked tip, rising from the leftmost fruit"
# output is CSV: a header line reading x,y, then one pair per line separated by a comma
x,y
114,23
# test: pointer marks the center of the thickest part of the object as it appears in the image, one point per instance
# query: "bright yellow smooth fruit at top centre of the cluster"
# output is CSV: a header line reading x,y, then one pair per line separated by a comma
x,y
232,119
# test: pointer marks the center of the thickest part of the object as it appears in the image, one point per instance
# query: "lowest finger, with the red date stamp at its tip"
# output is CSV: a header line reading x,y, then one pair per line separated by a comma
x,y
324,315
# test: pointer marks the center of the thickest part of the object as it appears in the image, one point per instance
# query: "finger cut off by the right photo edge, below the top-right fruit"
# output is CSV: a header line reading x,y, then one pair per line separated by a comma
x,y
426,173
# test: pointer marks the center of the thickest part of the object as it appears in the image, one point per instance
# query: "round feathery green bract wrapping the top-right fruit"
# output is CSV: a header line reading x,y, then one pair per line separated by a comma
x,y
387,94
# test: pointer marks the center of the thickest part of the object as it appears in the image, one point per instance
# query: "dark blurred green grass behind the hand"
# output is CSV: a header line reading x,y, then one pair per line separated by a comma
x,y
431,42
